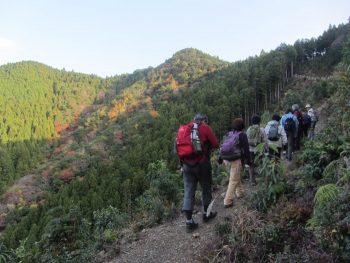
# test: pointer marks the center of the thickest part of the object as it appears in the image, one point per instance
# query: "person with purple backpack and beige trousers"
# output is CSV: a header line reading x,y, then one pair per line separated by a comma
x,y
236,162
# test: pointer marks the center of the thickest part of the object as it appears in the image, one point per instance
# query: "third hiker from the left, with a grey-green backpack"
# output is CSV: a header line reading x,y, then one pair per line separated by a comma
x,y
256,135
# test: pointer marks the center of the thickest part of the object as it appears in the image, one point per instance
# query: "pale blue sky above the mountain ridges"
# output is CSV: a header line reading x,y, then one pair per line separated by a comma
x,y
112,37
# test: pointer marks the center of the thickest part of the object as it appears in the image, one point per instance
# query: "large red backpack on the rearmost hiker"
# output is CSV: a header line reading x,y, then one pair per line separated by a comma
x,y
187,141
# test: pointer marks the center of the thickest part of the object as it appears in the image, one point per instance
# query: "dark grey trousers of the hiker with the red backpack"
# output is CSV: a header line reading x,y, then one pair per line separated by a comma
x,y
192,174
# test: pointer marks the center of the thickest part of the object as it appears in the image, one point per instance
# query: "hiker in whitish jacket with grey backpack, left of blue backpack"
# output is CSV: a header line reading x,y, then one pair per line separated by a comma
x,y
276,135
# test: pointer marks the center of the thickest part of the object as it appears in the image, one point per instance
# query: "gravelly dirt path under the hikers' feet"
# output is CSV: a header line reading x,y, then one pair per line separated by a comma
x,y
171,243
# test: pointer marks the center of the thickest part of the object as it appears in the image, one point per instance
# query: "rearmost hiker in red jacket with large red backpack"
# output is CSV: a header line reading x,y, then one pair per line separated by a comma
x,y
194,143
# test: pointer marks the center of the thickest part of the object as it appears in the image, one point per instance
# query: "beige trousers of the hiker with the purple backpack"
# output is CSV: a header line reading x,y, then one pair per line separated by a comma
x,y
235,184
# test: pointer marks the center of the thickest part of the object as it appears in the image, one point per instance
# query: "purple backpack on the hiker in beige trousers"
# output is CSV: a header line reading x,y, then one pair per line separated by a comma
x,y
230,149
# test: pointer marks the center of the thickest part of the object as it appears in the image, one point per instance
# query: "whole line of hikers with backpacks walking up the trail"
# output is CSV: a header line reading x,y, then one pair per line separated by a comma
x,y
196,140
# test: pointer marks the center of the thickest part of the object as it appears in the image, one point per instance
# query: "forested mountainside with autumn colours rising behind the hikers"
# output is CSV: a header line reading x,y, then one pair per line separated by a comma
x,y
113,161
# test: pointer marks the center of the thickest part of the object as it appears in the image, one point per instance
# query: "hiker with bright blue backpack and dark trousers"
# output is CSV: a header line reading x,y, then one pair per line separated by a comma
x,y
290,124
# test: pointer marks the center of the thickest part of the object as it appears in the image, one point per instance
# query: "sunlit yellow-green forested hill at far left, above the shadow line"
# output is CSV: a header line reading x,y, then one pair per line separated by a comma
x,y
37,101
